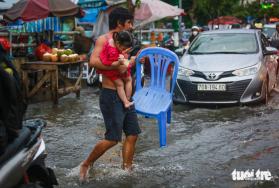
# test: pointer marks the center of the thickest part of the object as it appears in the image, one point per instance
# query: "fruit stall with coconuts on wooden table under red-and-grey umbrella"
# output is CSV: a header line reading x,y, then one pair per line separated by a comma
x,y
48,71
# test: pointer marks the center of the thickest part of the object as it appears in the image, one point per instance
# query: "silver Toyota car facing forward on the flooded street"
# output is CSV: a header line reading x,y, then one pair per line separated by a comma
x,y
227,66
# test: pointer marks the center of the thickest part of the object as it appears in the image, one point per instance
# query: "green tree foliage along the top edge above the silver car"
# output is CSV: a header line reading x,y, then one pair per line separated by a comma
x,y
201,11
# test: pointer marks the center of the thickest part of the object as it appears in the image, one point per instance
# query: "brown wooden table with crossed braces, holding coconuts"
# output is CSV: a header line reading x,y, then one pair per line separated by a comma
x,y
52,77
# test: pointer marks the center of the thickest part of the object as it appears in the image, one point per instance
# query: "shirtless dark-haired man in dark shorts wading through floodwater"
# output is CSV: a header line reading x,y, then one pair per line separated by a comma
x,y
116,117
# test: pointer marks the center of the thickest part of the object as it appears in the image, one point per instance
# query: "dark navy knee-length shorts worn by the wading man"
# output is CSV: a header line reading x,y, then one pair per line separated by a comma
x,y
116,117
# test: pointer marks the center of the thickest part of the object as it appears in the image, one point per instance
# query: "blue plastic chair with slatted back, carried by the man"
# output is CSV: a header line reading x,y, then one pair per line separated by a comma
x,y
155,100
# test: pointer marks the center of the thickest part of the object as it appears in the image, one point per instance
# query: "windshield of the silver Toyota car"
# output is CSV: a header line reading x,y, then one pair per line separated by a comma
x,y
228,43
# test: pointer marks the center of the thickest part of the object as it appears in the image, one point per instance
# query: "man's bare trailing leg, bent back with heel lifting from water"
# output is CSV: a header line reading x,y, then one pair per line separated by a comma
x,y
99,149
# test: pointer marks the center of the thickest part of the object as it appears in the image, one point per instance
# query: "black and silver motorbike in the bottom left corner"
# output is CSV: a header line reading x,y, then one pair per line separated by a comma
x,y
22,165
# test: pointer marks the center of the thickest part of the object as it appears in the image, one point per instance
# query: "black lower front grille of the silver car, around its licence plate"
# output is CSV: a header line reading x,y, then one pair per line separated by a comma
x,y
233,92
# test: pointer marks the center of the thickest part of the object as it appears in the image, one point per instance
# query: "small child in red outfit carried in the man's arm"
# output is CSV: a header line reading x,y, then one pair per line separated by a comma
x,y
112,54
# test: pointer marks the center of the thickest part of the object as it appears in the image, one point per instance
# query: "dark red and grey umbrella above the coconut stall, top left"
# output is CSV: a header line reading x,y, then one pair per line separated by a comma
x,y
30,10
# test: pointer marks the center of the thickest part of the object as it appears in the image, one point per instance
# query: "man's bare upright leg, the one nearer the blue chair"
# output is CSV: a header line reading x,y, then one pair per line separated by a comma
x,y
128,151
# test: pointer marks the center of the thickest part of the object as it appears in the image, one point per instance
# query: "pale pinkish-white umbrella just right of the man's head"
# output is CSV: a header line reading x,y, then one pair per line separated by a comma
x,y
153,10
